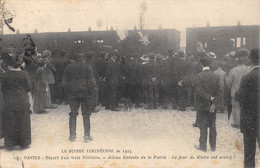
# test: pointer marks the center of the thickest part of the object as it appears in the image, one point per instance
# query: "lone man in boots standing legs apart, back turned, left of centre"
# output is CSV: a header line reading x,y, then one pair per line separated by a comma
x,y
78,80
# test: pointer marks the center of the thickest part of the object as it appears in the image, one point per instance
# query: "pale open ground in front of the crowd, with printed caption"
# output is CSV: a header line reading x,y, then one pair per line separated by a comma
x,y
167,136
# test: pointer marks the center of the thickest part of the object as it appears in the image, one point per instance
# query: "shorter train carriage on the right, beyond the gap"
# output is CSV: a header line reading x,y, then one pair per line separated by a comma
x,y
222,39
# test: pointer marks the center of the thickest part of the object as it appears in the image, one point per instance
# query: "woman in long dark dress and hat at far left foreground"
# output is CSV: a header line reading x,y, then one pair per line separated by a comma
x,y
15,87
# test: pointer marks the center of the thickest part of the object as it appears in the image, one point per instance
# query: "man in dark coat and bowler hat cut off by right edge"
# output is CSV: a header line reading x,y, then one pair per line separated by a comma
x,y
248,97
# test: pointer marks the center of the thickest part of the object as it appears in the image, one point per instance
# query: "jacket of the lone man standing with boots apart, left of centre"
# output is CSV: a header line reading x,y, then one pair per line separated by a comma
x,y
78,80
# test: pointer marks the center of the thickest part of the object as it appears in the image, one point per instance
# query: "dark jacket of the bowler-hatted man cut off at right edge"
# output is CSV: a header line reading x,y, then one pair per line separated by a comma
x,y
248,97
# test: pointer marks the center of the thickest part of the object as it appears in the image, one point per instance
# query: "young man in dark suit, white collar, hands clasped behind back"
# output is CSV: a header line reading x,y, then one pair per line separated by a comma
x,y
208,89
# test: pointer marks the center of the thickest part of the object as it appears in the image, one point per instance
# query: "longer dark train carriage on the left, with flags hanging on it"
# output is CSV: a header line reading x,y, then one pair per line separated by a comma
x,y
135,41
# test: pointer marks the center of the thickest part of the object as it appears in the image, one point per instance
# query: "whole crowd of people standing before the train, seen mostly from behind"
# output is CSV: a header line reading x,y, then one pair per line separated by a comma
x,y
32,82
